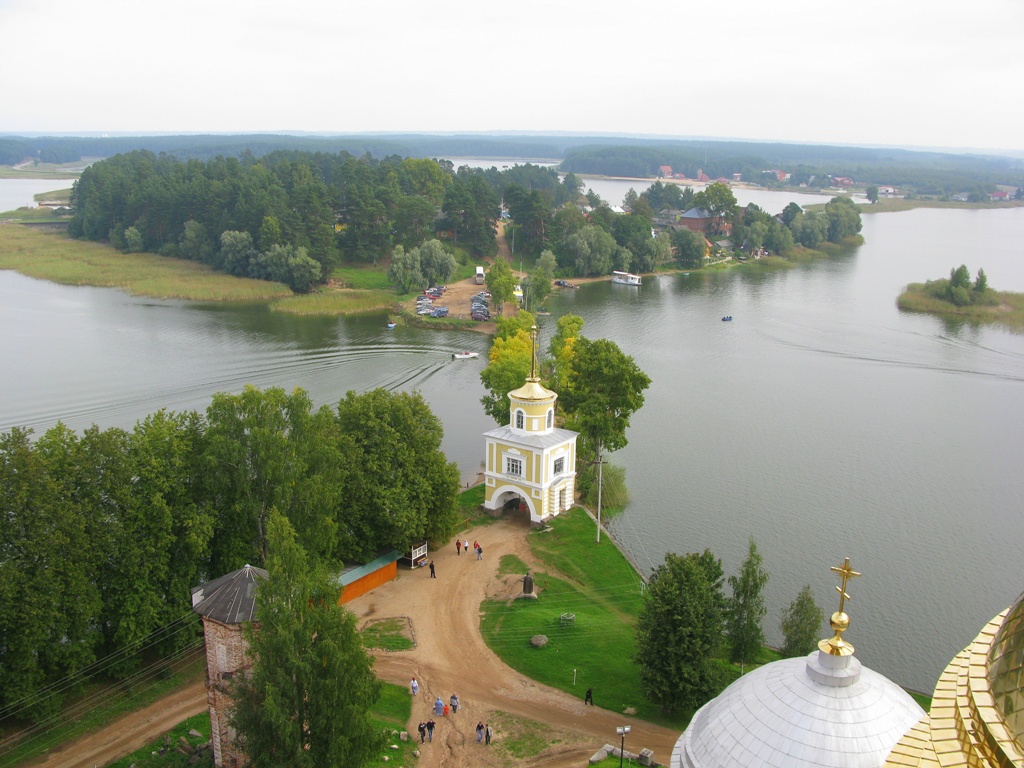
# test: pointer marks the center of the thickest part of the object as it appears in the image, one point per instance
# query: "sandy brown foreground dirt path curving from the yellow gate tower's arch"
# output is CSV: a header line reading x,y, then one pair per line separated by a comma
x,y
450,658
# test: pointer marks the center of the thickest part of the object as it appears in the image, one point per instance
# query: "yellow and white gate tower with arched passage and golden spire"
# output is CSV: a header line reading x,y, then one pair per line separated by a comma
x,y
530,461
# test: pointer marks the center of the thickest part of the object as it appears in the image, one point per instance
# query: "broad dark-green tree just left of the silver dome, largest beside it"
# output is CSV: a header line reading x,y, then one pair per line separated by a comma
x,y
679,631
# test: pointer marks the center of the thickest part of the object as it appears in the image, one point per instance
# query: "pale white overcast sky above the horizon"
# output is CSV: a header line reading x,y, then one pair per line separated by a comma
x,y
922,73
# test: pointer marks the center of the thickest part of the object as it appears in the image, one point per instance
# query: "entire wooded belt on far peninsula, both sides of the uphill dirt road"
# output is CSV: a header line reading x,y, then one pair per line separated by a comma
x,y
293,217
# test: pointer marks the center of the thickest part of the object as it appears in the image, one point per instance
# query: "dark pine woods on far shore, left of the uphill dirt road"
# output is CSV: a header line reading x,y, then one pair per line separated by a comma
x,y
293,217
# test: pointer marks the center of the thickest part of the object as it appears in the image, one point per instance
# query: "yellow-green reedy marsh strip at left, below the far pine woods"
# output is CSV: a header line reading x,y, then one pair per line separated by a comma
x,y
61,260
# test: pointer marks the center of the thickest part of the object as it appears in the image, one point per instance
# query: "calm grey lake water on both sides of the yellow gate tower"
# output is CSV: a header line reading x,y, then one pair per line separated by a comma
x,y
822,421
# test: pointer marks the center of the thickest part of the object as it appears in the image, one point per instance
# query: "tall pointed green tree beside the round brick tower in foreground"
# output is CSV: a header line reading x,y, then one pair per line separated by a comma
x,y
307,701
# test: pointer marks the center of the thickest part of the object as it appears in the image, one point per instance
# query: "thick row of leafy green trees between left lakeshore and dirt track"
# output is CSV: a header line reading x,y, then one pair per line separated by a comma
x,y
104,536
